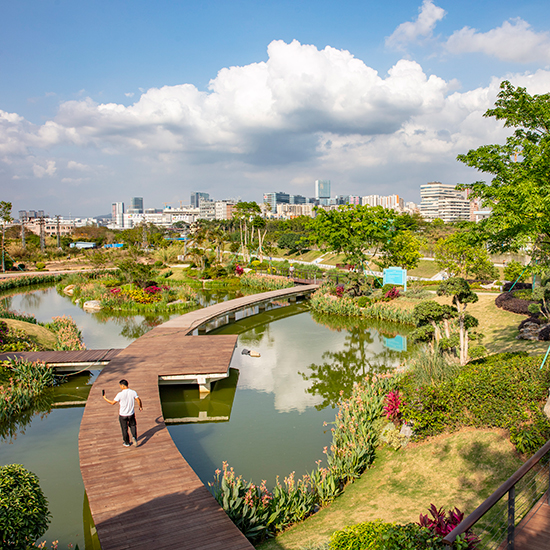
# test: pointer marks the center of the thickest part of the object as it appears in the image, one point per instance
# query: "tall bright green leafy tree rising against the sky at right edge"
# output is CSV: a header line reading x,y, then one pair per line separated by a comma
x,y
519,191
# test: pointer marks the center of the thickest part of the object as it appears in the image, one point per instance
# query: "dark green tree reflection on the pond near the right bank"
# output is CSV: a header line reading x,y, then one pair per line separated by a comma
x,y
342,369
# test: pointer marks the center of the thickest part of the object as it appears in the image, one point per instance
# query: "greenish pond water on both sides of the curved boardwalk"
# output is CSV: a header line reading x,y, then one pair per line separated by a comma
x,y
265,420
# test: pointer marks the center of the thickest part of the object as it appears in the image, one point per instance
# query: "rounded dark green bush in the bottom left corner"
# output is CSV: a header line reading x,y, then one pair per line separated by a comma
x,y
24,514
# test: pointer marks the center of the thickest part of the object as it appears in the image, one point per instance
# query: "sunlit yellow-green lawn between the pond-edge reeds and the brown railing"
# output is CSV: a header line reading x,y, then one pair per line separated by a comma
x,y
460,469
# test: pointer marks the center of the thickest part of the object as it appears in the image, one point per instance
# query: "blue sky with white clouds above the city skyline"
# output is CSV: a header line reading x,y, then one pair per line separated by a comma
x,y
105,100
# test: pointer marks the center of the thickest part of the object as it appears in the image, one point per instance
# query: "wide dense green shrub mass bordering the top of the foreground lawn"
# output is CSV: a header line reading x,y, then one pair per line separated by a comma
x,y
506,391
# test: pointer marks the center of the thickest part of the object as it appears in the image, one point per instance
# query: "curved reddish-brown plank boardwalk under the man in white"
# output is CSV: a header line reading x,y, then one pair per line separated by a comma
x,y
149,497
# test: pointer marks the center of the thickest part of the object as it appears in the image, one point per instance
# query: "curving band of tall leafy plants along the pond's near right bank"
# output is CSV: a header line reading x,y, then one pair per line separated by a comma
x,y
260,513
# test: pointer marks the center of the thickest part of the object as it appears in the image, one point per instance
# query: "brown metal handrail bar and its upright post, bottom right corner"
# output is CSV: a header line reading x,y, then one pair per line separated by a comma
x,y
507,487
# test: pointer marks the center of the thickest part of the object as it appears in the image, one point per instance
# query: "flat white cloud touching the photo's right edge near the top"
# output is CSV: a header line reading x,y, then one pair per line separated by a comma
x,y
514,40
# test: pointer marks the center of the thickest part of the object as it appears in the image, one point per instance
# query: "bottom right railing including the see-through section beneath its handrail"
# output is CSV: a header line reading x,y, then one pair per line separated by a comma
x,y
495,520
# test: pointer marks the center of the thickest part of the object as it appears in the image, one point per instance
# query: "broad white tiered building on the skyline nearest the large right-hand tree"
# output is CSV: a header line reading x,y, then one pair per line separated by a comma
x,y
440,200
